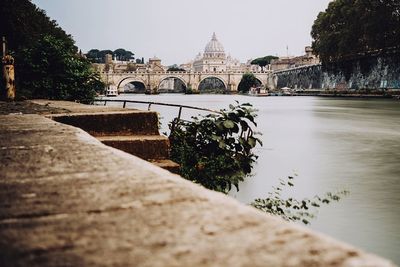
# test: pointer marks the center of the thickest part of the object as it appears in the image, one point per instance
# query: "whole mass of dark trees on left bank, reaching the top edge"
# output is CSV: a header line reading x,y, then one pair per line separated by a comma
x,y
47,63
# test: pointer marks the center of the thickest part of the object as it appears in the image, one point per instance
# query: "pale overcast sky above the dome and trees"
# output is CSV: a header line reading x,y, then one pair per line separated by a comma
x,y
176,30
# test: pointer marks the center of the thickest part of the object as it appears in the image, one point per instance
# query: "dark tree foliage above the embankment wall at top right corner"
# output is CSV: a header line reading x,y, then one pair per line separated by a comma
x,y
349,28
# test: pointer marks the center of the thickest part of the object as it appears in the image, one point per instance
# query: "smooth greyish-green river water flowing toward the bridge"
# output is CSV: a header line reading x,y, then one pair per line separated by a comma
x,y
332,144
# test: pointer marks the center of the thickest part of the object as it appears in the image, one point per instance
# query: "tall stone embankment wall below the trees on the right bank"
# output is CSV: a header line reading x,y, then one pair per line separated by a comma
x,y
366,73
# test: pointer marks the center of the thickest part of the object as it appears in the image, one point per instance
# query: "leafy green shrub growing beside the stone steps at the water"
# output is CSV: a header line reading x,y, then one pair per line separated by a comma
x,y
216,150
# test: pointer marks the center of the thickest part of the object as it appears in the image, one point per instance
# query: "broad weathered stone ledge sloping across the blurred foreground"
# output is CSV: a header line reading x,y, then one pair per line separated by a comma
x,y
68,200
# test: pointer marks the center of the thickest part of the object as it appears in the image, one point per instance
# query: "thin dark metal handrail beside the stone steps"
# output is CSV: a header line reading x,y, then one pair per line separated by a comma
x,y
150,103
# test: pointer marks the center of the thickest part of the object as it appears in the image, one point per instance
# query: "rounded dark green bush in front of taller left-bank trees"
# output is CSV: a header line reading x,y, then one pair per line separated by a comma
x,y
51,71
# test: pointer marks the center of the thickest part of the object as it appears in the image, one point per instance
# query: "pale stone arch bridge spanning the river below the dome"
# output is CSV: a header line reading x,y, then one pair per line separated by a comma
x,y
153,80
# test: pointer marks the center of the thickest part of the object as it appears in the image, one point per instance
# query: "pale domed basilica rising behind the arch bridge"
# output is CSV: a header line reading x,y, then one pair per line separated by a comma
x,y
213,59
